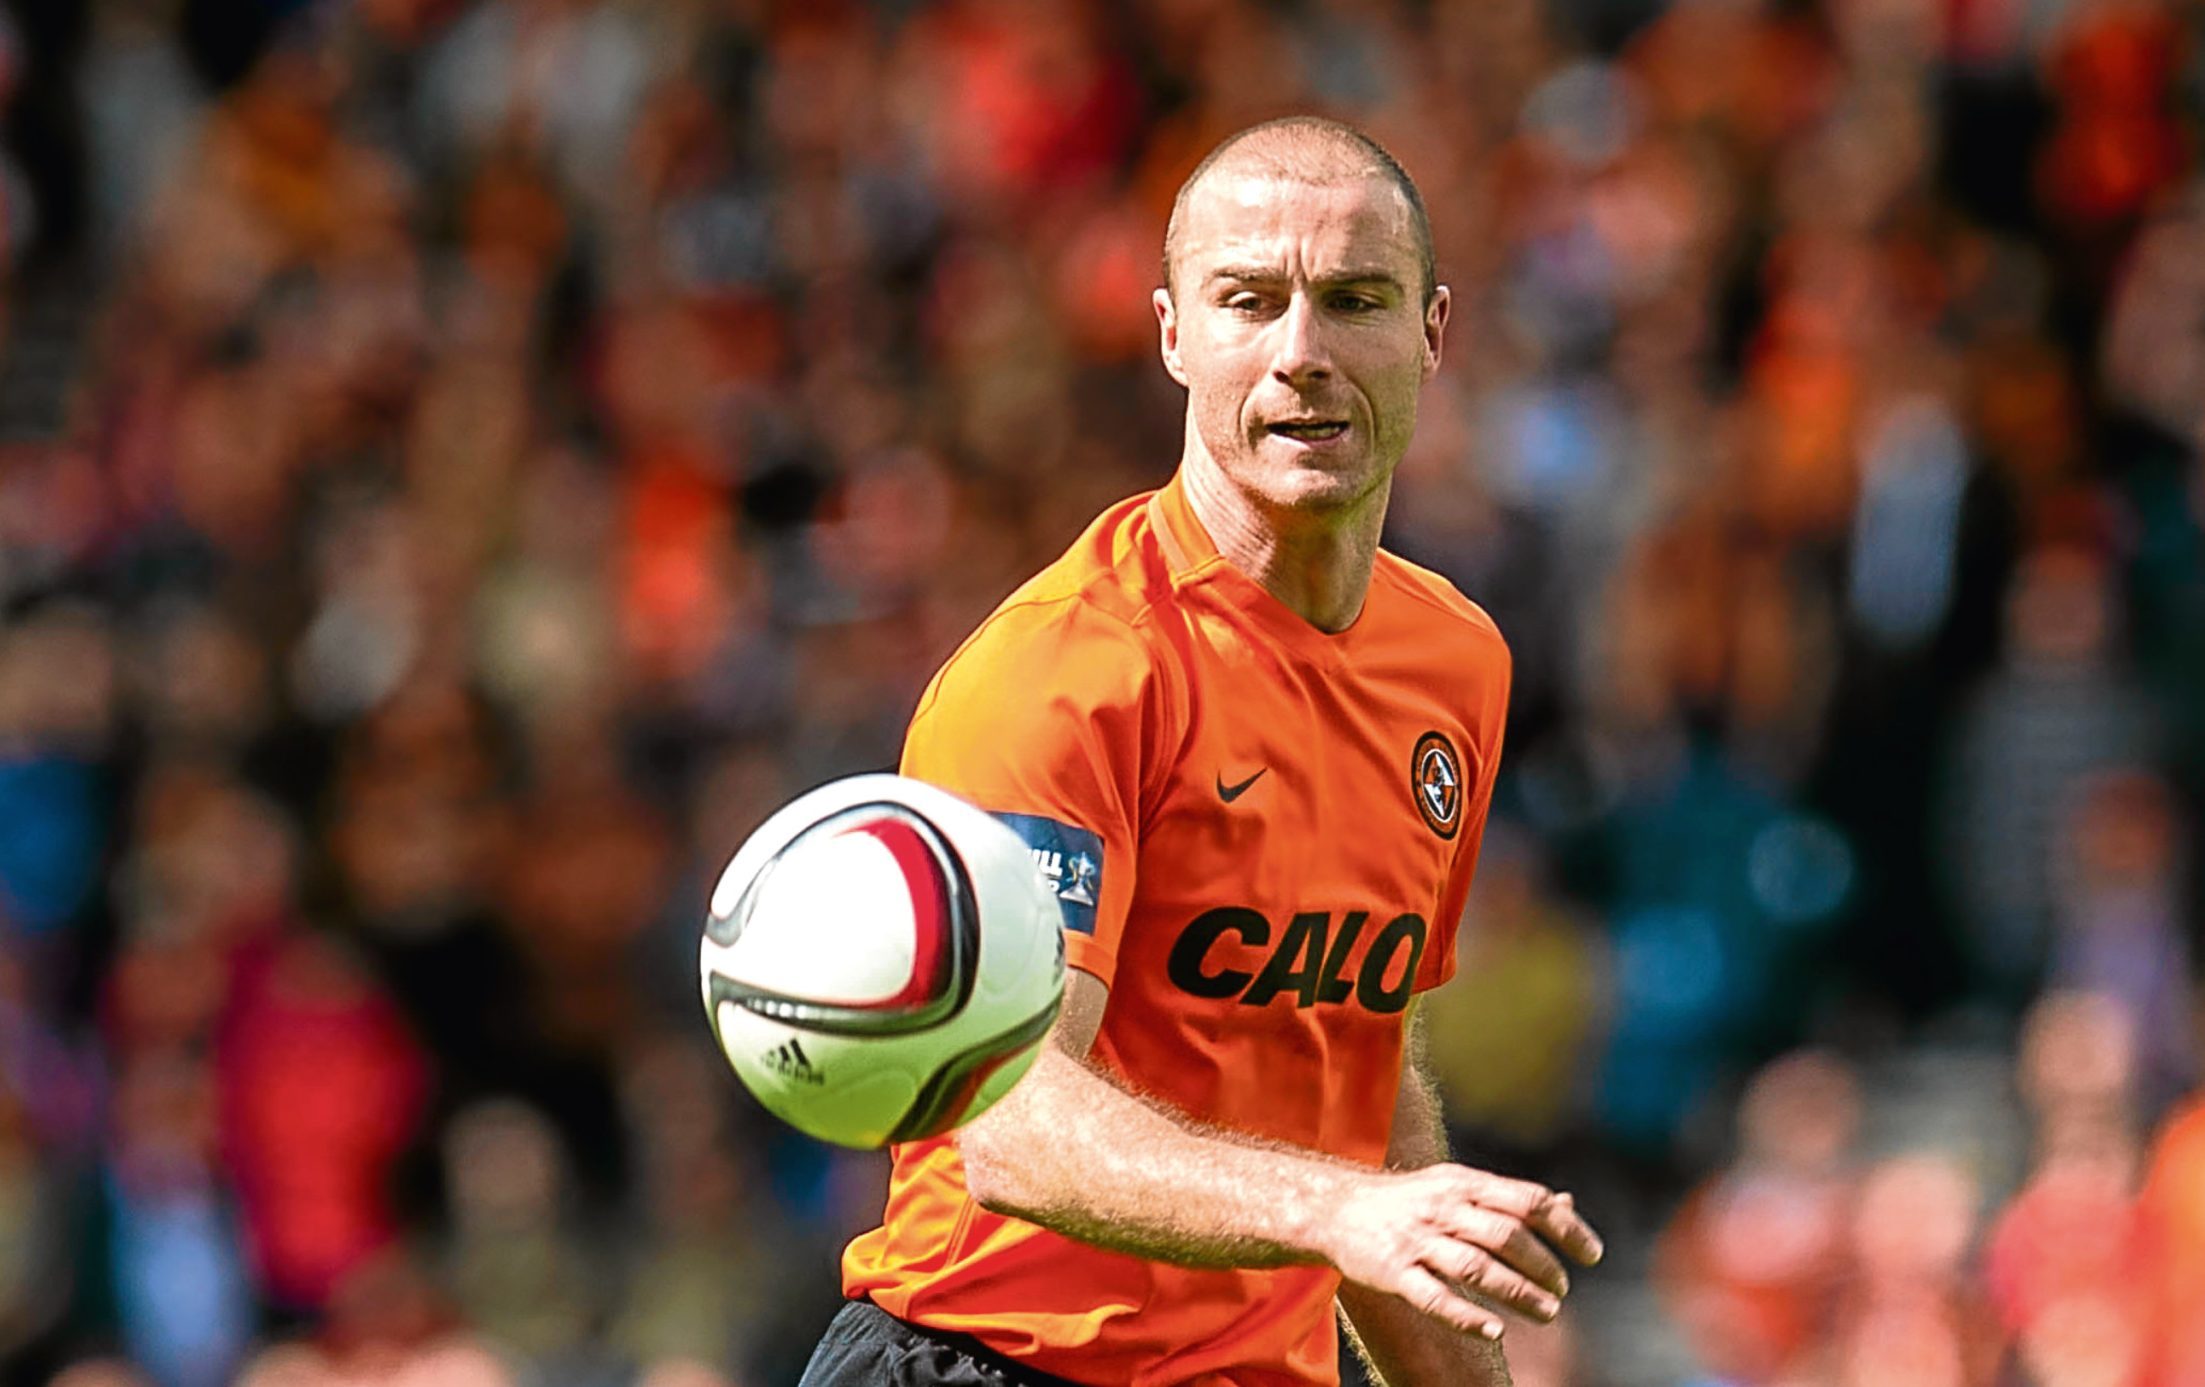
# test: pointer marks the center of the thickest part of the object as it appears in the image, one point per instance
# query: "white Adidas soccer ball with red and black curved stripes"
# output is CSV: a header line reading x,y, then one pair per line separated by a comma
x,y
881,963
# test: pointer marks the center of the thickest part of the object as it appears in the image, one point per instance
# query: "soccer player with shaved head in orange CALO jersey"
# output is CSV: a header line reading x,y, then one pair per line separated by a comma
x,y
1254,751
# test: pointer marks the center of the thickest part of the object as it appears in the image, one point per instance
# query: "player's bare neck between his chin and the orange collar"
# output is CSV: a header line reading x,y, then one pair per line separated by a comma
x,y
1317,563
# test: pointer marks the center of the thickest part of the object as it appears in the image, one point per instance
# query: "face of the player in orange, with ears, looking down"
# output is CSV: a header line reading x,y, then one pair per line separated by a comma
x,y
1298,325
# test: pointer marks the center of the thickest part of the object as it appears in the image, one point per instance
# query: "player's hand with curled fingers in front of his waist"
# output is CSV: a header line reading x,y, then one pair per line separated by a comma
x,y
1441,1234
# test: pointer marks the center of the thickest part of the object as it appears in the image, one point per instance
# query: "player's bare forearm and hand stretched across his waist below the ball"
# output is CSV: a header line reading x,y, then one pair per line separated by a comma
x,y
1075,1152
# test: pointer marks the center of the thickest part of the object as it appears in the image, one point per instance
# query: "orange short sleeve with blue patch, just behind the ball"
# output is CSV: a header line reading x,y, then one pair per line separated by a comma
x,y
1051,718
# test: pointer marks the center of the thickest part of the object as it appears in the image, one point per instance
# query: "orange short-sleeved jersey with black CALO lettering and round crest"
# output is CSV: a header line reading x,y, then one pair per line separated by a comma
x,y
1262,837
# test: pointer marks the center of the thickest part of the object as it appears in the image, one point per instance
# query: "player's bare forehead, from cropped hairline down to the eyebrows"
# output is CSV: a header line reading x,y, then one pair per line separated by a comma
x,y
1293,224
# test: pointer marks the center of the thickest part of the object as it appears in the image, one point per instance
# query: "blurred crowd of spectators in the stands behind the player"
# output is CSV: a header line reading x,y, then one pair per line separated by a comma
x,y
466,462
